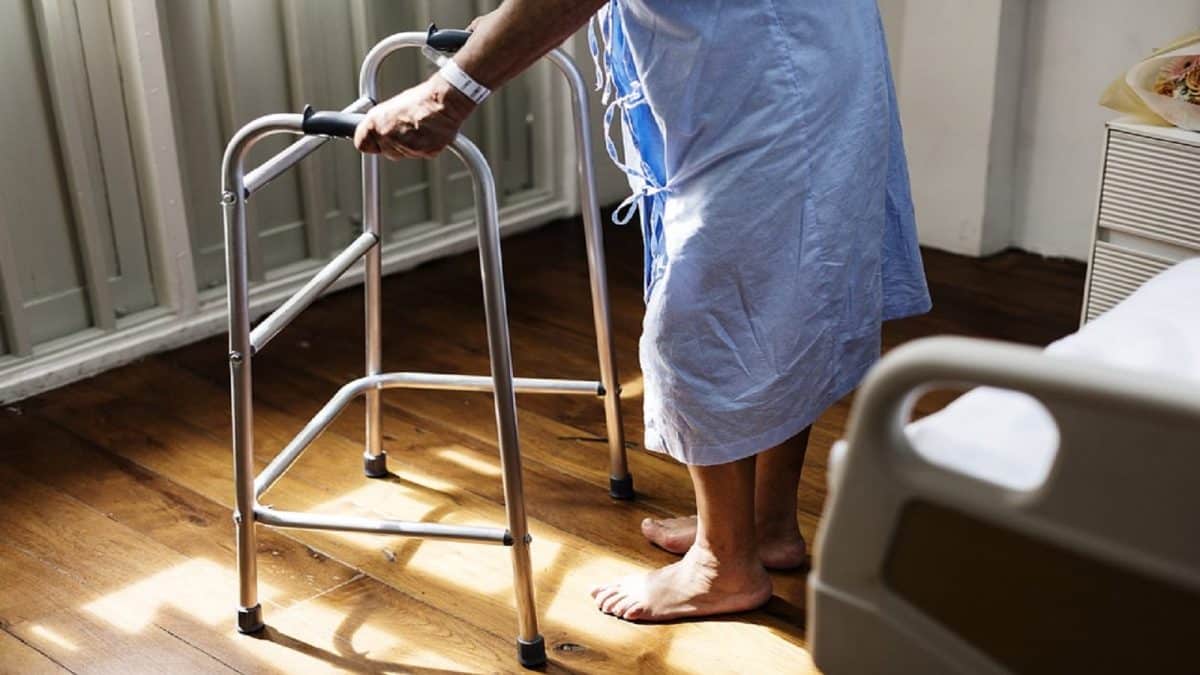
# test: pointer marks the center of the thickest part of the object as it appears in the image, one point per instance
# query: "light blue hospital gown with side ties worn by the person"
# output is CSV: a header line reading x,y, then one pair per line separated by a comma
x,y
764,146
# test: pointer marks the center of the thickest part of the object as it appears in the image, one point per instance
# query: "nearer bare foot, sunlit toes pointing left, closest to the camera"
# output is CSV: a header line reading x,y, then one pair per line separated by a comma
x,y
698,586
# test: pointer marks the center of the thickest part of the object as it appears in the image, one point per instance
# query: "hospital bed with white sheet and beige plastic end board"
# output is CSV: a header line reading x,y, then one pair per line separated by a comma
x,y
1046,522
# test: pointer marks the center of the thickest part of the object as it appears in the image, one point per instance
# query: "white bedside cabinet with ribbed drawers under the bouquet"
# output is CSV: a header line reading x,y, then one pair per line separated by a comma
x,y
1149,211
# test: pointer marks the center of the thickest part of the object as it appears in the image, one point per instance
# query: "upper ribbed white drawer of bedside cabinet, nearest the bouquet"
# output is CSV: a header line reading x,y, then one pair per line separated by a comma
x,y
1153,189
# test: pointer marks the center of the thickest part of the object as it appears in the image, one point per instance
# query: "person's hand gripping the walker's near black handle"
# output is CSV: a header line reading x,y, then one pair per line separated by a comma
x,y
418,123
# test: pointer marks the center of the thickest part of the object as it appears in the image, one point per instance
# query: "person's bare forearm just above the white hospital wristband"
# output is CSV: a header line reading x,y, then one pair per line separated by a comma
x,y
520,33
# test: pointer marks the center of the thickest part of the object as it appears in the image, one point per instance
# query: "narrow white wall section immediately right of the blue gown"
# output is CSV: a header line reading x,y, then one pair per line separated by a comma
x,y
959,122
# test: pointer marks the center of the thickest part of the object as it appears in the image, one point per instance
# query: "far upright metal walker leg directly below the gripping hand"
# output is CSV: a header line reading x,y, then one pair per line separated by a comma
x,y
375,461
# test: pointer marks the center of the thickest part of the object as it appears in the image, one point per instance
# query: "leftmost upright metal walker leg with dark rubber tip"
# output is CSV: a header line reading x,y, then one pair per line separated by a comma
x,y
250,612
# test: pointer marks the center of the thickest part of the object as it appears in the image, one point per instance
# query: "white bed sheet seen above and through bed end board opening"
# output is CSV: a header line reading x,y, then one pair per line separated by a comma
x,y
1009,439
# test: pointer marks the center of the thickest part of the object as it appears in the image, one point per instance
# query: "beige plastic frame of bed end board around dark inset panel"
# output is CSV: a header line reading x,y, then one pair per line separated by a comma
x,y
1124,489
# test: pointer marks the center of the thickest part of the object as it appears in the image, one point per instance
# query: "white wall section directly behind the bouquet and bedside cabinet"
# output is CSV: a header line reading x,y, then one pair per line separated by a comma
x,y
1075,49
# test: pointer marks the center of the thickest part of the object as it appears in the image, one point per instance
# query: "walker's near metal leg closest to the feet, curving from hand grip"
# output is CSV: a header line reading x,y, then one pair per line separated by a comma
x,y
496,314
